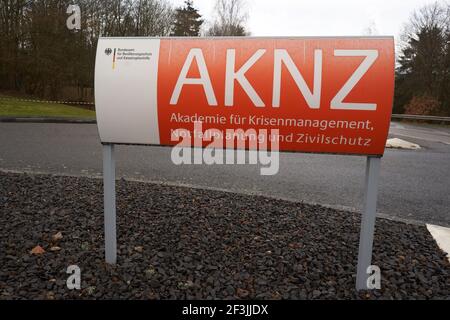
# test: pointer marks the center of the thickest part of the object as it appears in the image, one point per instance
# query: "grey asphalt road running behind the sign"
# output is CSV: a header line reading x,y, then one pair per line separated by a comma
x,y
414,185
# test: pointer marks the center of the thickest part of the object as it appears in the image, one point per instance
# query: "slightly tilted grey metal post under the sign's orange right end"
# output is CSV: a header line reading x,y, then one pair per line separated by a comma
x,y
368,221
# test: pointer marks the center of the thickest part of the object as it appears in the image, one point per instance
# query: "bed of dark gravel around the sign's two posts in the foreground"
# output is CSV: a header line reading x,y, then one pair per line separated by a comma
x,y
183,243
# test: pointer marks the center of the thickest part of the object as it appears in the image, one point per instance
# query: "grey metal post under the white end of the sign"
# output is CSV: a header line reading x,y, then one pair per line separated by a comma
x,y
109,186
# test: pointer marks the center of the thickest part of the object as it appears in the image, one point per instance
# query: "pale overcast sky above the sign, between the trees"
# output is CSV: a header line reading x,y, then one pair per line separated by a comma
x,y
322,17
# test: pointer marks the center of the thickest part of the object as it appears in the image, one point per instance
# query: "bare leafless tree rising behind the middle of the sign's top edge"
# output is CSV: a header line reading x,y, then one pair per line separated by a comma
x,y
230,19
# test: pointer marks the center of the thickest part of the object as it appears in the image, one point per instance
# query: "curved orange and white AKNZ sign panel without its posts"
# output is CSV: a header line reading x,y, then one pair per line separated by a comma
x,y
324,95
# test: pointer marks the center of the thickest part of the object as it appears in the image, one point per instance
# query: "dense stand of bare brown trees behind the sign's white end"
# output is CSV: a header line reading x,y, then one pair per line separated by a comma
x,y
40,56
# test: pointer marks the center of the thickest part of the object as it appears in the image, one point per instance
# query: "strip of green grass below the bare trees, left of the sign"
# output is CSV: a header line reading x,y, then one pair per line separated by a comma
x,y
12,107
